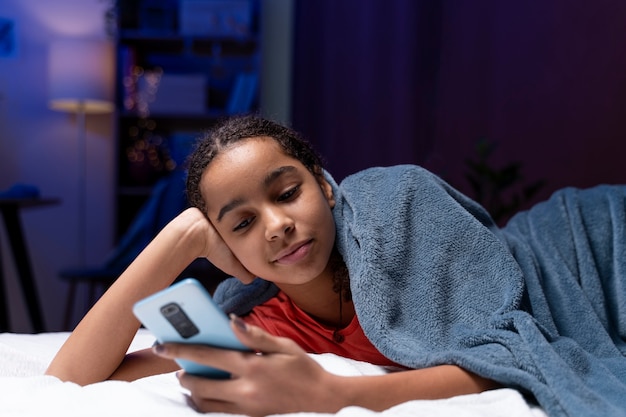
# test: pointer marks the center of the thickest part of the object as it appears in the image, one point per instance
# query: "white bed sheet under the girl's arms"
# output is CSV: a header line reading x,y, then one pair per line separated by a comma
x,y
25,391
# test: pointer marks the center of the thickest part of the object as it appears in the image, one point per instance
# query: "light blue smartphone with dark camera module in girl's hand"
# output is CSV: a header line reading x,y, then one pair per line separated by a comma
x,y
186,313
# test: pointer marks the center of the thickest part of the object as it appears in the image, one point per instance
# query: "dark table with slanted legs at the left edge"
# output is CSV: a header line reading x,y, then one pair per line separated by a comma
x,y
10,209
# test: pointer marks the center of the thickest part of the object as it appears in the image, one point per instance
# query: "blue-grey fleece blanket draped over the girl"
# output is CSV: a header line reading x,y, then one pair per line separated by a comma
x,y
539,305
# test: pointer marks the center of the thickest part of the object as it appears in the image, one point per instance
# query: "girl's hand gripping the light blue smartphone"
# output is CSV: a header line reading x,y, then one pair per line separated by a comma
x,y
282,378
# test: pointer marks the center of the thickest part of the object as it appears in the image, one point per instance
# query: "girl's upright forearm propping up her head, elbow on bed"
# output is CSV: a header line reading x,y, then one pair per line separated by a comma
x,y
97,346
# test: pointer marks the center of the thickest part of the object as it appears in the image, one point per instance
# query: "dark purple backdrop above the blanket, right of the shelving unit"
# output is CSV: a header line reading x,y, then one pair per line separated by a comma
x,y
543,81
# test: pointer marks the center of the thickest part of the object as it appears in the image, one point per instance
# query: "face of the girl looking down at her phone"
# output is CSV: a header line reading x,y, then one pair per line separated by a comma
x,y
273,214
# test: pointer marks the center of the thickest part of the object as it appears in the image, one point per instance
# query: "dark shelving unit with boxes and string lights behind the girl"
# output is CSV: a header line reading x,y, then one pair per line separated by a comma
x,y
175,80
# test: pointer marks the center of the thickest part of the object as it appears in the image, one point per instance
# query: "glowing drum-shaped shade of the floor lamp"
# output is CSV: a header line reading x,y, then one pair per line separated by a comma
x,y
81,76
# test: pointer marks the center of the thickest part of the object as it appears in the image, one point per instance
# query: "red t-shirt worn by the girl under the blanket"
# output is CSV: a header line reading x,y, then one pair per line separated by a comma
x,y
280,317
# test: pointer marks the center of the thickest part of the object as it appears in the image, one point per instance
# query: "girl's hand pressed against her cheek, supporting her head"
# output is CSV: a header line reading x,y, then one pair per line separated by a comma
x,y
211,244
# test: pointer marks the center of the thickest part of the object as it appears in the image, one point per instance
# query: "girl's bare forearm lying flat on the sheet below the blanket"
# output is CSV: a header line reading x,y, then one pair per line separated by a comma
x,y
383,391
